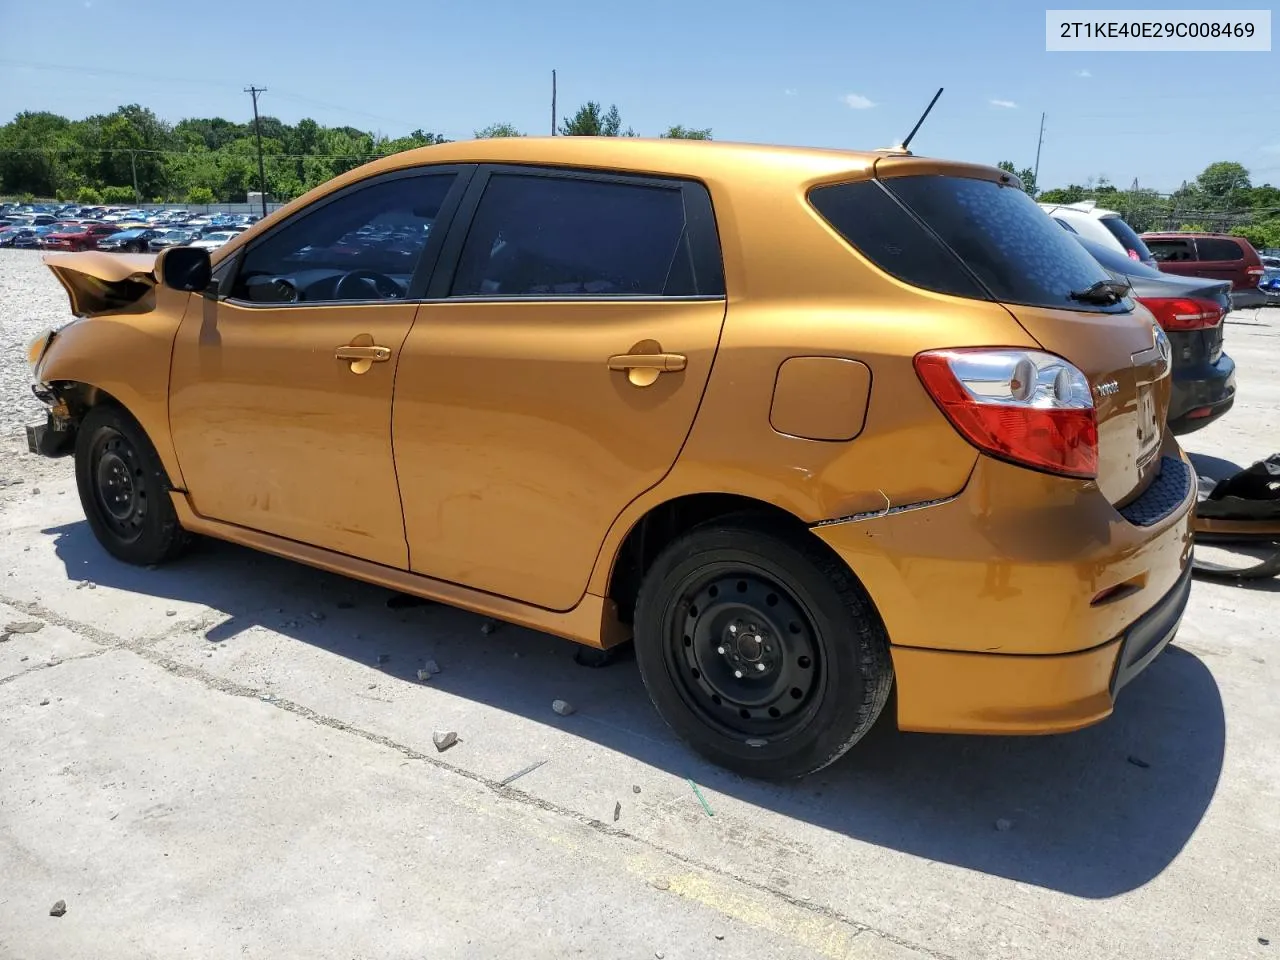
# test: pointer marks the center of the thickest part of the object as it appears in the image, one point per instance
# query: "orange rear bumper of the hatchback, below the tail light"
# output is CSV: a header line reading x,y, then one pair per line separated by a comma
x,y
1011,607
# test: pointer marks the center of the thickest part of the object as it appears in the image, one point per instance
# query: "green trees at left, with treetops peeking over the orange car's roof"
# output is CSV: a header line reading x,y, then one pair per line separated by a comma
x,y
131,156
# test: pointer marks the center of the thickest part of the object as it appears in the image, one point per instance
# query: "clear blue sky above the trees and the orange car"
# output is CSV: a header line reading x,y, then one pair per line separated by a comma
x,y
819,74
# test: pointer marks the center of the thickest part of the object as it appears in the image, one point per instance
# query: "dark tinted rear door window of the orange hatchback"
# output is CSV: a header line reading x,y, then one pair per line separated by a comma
x,y
556,236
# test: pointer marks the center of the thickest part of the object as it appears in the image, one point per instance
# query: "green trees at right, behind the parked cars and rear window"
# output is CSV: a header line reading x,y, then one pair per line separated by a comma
x,y
1223,199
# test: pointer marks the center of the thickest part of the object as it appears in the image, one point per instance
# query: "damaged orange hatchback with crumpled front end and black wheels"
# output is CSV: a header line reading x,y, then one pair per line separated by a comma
x,y
808,426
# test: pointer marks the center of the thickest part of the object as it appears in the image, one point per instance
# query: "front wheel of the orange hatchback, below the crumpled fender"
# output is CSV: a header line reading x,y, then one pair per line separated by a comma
x,y
125,491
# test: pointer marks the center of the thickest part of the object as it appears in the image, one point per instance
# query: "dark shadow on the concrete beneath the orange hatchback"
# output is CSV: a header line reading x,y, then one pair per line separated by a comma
x,y
1094,813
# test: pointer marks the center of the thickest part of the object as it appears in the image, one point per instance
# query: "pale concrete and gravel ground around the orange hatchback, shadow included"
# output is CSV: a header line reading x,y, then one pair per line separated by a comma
x,y
234,757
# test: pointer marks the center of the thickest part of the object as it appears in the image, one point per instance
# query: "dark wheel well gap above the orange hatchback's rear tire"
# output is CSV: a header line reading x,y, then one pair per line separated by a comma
x,y
668,522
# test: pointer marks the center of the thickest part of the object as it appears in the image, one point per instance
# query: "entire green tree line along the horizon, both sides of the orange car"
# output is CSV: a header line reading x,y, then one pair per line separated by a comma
x,y
131,156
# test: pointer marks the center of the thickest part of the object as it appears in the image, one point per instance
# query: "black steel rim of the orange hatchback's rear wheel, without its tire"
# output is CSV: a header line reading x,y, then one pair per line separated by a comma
x,y
744,655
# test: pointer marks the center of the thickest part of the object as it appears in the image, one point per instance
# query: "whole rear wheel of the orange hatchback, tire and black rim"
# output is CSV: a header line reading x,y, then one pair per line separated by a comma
x,y
761,650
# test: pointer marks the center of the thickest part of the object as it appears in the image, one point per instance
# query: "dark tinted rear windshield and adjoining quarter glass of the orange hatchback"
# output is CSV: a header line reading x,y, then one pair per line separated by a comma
x,y
964,237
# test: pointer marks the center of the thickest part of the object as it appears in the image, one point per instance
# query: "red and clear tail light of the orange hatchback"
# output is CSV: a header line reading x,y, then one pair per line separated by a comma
x,y
1023,406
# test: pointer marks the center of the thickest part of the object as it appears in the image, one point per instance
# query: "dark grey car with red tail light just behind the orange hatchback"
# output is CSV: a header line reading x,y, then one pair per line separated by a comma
x,y
1191,312
